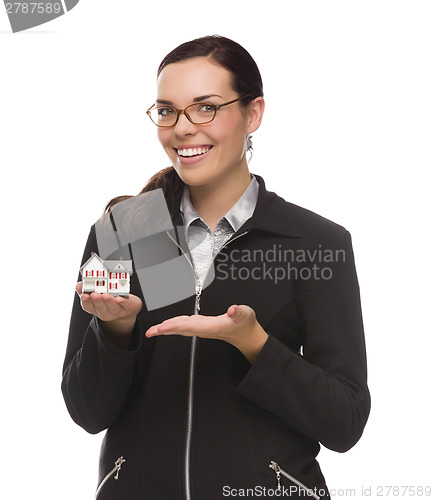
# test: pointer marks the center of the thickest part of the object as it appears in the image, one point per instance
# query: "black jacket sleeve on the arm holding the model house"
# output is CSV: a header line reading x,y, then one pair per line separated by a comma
x,y
97,375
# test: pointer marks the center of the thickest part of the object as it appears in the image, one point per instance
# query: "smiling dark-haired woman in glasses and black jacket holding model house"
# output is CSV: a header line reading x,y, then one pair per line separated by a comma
x,y
228,391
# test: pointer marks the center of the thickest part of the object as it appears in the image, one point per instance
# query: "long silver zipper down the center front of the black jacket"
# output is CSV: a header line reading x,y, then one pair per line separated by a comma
x,y
198,290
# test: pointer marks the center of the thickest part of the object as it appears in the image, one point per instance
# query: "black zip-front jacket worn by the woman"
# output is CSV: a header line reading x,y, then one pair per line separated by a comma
x,y
307,386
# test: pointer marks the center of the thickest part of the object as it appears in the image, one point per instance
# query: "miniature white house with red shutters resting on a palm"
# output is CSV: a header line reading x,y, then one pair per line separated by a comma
x,y
112,276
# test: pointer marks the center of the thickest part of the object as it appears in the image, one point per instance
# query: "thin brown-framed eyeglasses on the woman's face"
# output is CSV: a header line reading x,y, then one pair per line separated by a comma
x,y
199,114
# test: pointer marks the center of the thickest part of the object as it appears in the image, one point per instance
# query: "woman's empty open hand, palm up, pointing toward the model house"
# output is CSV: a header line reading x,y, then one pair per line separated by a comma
x,y
238,326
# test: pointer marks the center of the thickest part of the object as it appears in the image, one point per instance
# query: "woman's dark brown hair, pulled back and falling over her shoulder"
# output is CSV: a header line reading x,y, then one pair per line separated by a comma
x,y
246,79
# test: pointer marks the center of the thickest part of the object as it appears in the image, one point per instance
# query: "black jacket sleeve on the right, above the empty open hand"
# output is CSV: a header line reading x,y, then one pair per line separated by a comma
x,y
322,393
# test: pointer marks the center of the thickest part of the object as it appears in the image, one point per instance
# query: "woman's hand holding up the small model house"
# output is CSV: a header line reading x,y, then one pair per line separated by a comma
x,y
118,314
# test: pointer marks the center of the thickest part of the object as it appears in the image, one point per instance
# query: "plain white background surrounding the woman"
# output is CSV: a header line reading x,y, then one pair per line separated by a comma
x,y
347,133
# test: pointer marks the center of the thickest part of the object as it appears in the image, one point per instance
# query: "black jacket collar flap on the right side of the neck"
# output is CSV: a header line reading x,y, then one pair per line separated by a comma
x,y
271,214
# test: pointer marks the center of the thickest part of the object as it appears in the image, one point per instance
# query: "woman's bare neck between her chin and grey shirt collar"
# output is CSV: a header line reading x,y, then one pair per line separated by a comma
x,y
214,201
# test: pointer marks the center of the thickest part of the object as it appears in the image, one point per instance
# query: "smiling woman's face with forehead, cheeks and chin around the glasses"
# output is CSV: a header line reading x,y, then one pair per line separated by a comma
x,y
218,147
